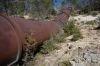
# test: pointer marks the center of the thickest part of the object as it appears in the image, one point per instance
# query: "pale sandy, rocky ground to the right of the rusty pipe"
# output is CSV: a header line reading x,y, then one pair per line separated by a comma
x,y
84,52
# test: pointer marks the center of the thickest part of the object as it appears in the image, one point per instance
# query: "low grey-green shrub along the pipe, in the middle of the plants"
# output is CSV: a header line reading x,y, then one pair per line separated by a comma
x,y
52,43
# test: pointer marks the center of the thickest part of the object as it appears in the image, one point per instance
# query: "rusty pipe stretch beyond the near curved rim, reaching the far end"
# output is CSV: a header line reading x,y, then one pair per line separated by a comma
x,y
42,29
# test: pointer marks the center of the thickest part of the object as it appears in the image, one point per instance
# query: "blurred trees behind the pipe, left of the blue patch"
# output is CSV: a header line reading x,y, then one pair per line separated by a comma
x,y
37,8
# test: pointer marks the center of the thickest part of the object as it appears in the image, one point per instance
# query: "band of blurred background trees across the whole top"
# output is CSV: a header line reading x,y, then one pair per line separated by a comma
x,y
40,8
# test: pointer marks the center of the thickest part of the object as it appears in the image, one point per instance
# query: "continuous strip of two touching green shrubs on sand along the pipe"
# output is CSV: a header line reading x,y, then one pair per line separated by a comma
x,y
52,44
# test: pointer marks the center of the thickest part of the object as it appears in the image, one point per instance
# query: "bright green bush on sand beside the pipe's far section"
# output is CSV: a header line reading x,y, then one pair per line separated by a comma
x,y
71,29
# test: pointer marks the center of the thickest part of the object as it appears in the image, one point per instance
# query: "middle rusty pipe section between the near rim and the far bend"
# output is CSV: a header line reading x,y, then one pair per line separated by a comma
x,y
41,30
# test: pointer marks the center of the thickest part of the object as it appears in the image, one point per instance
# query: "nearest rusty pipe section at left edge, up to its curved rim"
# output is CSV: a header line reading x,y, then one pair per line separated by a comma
x,y
10,41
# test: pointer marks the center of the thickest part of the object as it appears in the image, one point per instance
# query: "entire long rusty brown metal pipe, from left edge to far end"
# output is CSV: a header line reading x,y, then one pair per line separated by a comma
x,y
13,30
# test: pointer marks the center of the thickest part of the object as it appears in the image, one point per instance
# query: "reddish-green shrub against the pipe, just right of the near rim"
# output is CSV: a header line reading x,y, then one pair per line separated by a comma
x,y
28,49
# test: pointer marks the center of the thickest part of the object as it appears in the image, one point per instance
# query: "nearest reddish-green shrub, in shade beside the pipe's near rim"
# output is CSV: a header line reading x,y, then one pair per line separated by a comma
x,y
28,51
